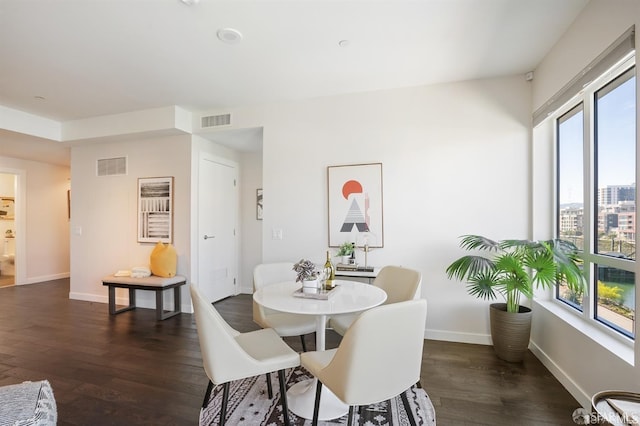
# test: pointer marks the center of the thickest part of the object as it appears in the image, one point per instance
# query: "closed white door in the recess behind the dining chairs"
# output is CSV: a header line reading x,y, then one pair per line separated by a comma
x,y
217,218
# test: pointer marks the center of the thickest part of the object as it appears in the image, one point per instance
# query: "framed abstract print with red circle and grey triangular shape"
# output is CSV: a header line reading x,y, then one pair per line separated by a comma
x,y
355,205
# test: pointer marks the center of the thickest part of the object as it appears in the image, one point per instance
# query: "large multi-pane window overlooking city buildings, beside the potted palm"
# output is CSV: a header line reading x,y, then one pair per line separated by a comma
x,y
596,195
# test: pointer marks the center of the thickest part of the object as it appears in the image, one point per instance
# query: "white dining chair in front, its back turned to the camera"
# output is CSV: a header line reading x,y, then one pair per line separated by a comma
x,y
379,357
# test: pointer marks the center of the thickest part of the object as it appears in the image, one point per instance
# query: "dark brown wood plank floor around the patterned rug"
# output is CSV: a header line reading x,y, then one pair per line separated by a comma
x,y
131,370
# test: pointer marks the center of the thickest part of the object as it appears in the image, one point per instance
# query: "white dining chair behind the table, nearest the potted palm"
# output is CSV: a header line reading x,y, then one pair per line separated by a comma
x,y
399,283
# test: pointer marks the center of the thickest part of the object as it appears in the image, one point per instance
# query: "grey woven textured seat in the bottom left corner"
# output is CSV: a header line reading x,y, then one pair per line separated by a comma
x,y
28,404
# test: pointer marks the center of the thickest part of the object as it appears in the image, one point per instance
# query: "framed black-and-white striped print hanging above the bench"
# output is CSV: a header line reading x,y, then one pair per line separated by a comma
x,y
155,210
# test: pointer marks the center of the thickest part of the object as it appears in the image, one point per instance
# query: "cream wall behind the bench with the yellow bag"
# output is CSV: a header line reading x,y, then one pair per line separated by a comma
x,y
103,222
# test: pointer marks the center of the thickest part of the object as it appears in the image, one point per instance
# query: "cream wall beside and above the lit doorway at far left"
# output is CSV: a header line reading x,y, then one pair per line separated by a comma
x,y
42,222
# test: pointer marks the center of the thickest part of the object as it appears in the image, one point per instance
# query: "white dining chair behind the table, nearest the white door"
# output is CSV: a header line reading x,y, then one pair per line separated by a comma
x,y
285,324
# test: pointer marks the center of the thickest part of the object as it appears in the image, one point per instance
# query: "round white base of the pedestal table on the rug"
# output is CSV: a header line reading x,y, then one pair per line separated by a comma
x,y
302,395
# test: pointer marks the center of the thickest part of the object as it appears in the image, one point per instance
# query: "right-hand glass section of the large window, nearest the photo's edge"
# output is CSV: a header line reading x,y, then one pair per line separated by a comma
x,y
615,196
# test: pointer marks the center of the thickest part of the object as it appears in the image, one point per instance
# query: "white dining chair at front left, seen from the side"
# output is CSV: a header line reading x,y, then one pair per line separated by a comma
x,y
229,355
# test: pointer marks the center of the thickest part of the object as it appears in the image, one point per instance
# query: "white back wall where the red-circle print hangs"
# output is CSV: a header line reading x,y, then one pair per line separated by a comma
x,y
455,161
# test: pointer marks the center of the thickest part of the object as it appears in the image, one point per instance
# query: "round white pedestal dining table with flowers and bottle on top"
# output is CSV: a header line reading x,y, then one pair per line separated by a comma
x,y
349,296
